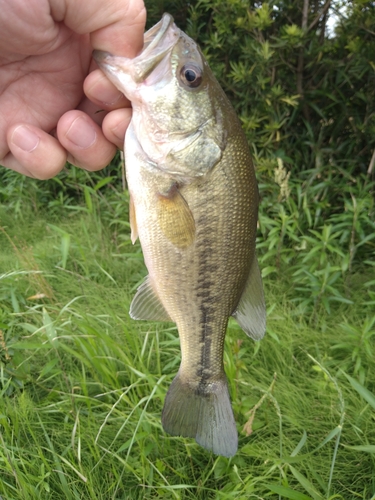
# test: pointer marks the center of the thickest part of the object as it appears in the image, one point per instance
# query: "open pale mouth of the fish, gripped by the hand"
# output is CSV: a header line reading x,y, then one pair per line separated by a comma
x,y
158,42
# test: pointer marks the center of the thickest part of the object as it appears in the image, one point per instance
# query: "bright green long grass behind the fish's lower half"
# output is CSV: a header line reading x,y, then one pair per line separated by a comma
x,y
82,385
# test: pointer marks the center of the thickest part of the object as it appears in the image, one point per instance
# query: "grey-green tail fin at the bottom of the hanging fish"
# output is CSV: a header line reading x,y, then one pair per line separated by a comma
x,y
203,413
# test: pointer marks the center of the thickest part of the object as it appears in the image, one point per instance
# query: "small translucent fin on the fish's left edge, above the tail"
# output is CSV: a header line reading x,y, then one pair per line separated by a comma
x,y
146,304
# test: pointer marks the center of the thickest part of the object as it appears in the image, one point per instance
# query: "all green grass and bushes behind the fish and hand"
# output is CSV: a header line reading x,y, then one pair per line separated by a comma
x,y
82,385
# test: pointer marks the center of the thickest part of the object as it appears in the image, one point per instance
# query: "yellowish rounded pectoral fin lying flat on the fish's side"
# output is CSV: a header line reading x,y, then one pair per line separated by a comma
x,y
175,218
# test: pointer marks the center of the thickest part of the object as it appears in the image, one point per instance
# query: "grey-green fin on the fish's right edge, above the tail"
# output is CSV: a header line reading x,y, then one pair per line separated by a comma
x,y
251,310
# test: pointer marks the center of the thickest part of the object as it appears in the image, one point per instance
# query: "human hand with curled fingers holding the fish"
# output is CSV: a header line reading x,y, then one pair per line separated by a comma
x,y
45,57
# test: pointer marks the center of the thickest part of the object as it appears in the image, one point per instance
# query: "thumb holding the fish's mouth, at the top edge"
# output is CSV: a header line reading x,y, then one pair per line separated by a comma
x,y
116,26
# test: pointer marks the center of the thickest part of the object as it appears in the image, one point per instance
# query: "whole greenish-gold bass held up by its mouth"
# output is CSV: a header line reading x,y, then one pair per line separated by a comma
x,y
194,207
